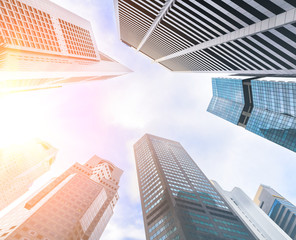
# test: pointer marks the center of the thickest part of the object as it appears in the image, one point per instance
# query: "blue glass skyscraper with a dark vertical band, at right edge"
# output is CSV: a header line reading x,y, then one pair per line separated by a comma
x,y
266,108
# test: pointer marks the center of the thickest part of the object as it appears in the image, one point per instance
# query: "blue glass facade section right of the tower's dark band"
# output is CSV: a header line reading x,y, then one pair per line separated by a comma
x,y
274,113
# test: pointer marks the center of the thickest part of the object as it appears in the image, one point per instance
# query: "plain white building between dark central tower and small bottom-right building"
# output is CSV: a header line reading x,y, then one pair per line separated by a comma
x,y
261,225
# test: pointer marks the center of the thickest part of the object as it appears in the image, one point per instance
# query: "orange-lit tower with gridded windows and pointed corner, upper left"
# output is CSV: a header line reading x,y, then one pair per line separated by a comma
x,y
48,46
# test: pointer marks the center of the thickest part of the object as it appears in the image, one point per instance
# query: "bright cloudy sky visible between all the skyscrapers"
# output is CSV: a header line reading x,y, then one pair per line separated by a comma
x,y
107,117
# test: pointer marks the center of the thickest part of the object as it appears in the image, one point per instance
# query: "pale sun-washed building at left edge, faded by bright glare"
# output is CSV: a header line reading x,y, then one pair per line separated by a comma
x,y
21,165
